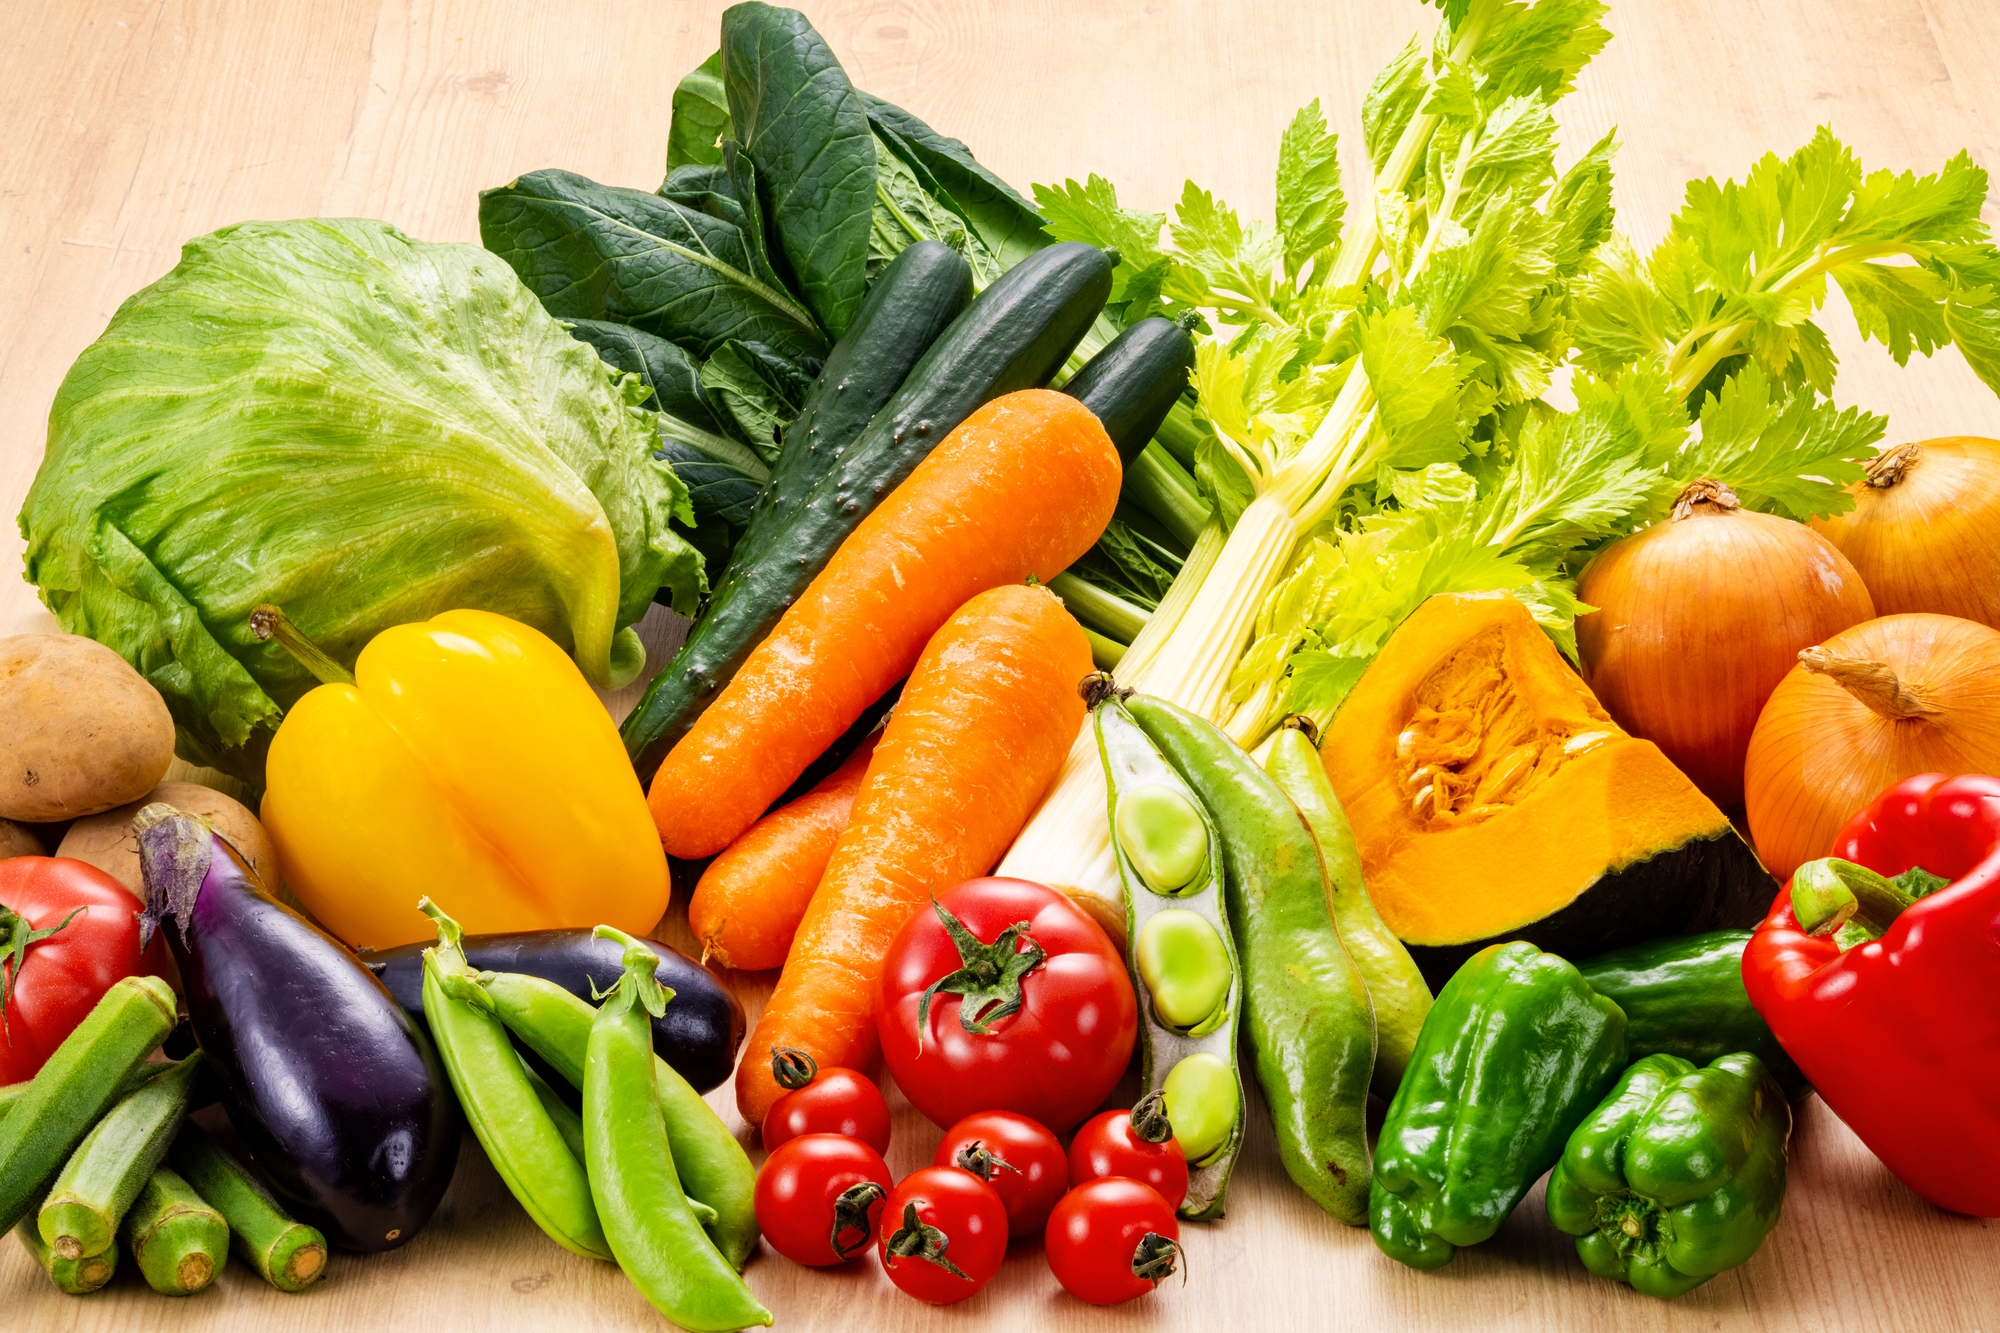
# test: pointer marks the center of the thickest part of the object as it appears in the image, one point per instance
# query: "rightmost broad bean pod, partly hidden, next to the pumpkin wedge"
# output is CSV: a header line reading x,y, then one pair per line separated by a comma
x,y
1397,990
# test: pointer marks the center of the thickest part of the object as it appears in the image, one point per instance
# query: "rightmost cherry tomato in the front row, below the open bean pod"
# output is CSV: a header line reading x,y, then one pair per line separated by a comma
x,y
1113,1240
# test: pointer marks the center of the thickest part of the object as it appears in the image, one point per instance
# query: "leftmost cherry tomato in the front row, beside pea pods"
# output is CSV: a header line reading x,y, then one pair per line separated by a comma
x,y
819,1198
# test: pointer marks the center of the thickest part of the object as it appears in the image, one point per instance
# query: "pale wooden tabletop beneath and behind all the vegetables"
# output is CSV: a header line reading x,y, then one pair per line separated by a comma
x,y
135,125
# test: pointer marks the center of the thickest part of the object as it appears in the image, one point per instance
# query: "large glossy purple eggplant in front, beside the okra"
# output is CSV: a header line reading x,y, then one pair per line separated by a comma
x,y
337,1096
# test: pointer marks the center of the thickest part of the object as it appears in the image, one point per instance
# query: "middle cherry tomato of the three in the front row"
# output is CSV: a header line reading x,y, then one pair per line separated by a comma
x,y
943,1234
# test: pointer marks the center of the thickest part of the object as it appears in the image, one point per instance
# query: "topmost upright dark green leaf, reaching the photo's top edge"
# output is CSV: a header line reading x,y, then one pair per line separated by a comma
x,y
805,129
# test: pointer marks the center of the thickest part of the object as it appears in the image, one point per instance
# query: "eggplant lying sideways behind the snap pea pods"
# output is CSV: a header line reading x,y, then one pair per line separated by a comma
x,y
697,1036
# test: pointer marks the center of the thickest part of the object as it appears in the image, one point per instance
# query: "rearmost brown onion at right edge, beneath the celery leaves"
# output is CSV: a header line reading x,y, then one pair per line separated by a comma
x,y
1925,529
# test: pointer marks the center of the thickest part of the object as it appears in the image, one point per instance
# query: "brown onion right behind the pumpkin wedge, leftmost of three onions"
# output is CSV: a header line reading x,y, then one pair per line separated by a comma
x,y
1697,621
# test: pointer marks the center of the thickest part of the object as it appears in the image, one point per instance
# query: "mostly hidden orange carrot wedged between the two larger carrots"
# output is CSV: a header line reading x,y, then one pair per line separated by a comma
x,y
749,904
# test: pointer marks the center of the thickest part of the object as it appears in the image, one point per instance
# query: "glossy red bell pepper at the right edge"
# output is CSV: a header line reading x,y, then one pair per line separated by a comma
x,y
1901,1034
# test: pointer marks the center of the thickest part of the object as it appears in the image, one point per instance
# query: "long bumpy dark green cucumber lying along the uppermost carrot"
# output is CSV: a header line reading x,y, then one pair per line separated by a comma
x,y
1017,335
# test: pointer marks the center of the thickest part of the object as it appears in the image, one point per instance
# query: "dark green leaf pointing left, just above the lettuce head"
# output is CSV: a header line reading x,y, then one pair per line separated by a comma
x,y
601,253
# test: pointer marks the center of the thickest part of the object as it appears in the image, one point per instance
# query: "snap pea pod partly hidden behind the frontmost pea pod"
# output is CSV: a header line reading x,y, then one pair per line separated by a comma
x,y
713,1166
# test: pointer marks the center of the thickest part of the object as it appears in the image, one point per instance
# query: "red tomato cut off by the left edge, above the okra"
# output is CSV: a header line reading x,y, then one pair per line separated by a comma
x,y
67,934
